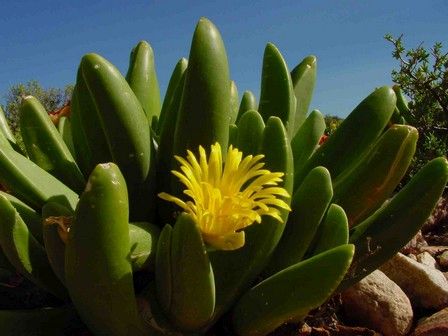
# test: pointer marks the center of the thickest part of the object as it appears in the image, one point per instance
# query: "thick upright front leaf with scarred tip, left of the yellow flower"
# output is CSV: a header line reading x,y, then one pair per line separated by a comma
x,y
97,261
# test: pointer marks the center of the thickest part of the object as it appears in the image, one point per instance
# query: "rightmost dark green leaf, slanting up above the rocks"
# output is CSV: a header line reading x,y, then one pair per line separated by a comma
x,y
385,232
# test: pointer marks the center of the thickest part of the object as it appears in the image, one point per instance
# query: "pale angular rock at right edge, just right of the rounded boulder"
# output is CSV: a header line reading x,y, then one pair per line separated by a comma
x,y
425,286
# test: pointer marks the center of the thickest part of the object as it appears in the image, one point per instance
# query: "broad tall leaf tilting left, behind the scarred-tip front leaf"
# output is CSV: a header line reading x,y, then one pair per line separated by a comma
x,y
126,129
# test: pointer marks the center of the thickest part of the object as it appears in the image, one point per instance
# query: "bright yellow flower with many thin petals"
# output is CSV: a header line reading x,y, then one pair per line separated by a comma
x,y
226,198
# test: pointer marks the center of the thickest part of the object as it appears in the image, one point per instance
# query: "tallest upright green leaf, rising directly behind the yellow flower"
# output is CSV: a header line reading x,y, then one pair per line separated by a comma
x,y
206,96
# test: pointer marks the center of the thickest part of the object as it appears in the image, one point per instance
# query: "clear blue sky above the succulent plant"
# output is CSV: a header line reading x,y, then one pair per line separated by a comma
x,y
44,40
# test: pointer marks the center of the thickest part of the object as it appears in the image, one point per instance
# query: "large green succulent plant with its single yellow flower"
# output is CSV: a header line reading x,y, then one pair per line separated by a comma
x,y
224,212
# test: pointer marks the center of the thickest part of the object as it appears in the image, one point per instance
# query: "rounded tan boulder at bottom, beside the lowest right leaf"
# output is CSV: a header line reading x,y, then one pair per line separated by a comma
x,y
378,303
